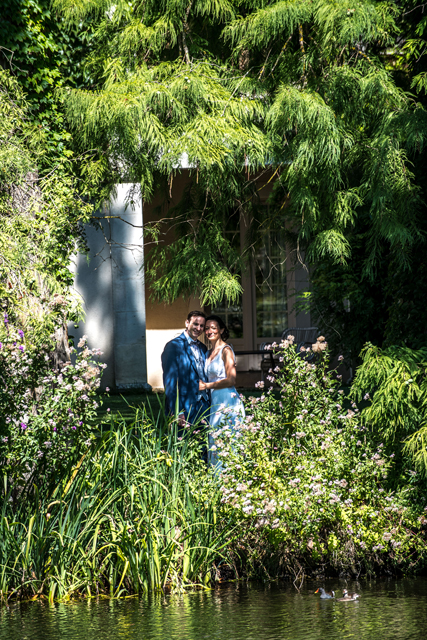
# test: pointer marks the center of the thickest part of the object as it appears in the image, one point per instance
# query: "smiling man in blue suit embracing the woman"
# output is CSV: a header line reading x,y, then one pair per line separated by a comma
x,y
183,364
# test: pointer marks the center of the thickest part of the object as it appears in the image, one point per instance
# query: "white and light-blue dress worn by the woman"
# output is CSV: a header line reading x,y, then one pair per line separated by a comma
x,y
226,407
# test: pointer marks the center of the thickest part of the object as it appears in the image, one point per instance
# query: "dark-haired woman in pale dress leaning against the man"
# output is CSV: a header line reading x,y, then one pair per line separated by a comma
x,y
226,406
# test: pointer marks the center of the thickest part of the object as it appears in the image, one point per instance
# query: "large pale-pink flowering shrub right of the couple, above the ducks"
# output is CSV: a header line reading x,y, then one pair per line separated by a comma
x,y
301,469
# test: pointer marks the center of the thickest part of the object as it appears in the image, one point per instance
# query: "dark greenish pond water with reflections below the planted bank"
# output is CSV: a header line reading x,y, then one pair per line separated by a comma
x,y
386,610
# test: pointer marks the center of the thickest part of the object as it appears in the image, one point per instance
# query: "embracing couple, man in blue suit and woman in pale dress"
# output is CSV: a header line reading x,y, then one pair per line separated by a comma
x,y
202,381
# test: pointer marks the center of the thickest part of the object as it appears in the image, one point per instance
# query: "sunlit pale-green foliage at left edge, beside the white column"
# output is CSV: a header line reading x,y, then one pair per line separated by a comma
x,y
39,224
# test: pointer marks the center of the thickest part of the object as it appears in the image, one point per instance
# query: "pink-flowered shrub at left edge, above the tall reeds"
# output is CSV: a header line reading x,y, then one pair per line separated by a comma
x,y
46,416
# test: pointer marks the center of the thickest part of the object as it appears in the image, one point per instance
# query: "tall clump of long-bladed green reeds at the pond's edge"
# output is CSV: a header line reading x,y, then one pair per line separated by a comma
x,y
125,519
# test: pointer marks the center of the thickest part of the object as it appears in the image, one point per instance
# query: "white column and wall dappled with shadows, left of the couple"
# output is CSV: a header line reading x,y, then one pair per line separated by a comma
x,y
111,285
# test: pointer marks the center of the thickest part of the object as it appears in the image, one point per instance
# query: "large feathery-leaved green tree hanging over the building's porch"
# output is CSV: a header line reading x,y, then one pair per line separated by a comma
x,y
309,90
